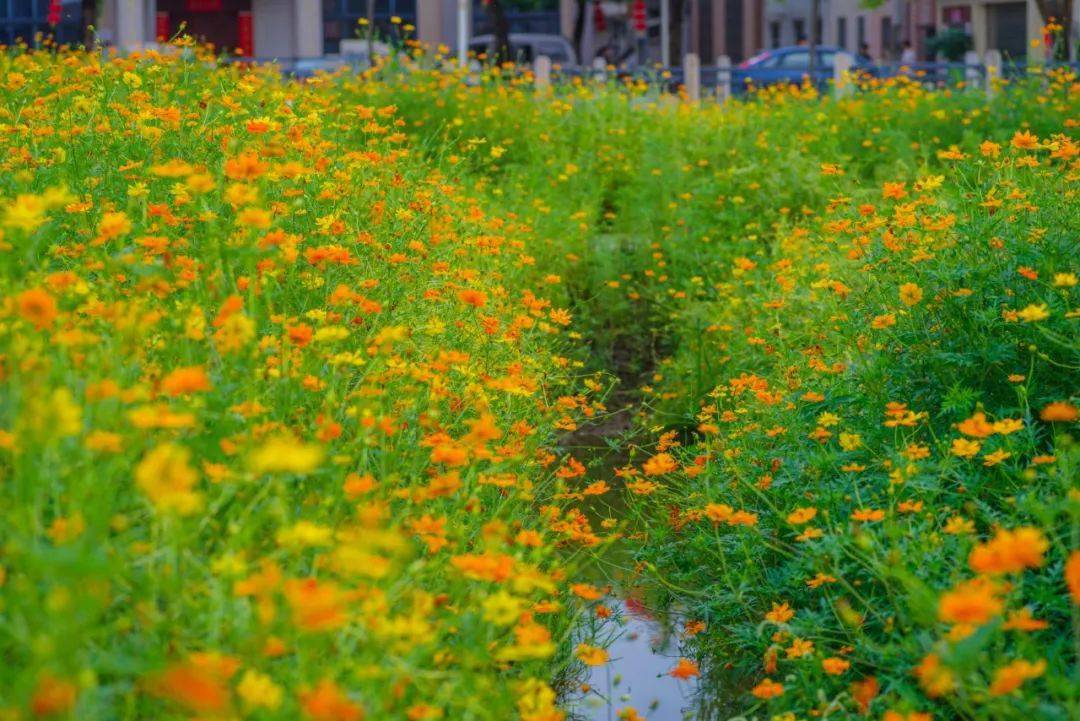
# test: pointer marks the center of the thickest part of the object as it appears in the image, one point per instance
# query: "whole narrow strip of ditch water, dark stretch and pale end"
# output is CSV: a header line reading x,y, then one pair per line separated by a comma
x,y
644,646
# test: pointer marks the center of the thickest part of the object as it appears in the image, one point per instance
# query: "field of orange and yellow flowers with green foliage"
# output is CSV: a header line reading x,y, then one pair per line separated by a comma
x,y
295,375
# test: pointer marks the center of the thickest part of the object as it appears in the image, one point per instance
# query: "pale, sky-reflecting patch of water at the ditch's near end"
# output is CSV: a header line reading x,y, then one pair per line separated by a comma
x,y
637,684
